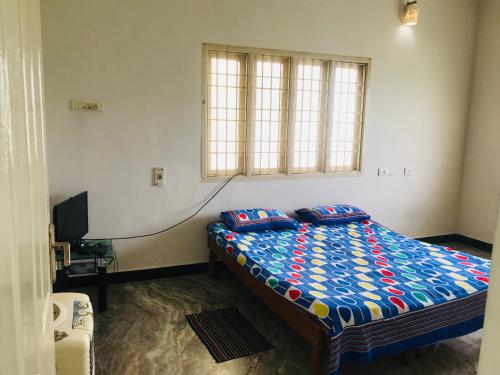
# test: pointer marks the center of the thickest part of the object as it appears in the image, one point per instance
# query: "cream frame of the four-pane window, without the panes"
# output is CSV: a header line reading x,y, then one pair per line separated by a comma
x,y
251,52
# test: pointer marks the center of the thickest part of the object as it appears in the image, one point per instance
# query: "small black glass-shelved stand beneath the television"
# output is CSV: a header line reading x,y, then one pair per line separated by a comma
x,y
88,263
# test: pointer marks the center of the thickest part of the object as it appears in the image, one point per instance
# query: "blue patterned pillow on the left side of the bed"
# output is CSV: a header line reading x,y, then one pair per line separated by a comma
x,y
257,219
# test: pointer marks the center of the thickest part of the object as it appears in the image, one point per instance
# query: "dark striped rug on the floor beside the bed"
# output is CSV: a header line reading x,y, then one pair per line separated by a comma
x,y
227,334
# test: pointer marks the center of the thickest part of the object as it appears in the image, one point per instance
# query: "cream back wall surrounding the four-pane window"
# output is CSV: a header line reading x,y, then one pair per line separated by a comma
x,y
143,59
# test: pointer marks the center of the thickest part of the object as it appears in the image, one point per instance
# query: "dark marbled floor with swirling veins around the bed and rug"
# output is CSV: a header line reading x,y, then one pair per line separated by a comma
x,y
144,331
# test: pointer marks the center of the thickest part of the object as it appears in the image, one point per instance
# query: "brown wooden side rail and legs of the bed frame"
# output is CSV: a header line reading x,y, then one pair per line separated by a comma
x,y
307,325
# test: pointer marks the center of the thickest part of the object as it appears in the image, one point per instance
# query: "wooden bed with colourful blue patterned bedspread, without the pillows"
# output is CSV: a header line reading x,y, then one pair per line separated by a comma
x,y
357,291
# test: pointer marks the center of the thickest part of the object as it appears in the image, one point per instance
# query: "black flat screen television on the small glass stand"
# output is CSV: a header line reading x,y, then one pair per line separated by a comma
x,y
71,219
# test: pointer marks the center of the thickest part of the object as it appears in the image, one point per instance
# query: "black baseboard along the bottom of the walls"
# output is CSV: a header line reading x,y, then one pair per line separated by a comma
x,y
188,269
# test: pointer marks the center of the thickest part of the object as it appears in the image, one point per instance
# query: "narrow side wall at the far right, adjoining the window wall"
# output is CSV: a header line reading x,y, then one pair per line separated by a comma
x,y
481,179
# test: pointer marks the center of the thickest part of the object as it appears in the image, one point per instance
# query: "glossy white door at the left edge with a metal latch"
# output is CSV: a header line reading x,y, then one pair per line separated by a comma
x,y
26,320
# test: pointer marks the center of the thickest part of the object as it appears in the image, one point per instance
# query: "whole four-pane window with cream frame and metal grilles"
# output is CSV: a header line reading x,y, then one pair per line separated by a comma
x,y
276,112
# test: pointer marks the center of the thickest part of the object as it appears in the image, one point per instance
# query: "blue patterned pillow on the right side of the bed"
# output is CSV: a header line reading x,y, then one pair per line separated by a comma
x,y
330,215
